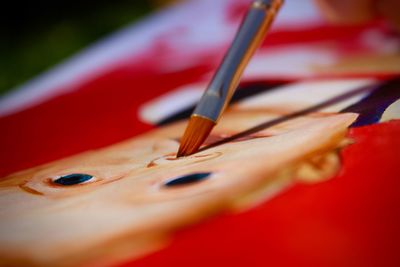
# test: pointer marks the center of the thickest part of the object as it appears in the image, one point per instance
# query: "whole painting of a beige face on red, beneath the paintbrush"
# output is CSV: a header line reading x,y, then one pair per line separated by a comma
x,y
329,79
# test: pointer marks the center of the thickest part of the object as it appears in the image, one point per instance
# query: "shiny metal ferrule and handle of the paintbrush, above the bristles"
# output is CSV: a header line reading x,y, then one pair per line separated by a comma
x,y
251,33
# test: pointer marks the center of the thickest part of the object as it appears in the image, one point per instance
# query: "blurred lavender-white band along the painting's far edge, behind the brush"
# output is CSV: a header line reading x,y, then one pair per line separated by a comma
x,y
208,30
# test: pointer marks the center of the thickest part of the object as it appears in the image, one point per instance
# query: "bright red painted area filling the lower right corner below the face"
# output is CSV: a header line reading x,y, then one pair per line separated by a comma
x,y
351,220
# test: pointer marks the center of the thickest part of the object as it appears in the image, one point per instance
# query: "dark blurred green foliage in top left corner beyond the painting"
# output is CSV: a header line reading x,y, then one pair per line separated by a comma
x,y
38,35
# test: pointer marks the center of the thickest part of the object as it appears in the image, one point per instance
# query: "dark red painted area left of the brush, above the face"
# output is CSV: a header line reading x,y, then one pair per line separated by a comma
x,y
98,113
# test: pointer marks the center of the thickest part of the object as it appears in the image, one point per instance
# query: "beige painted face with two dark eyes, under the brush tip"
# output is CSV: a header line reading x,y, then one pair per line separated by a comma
x,y
126,210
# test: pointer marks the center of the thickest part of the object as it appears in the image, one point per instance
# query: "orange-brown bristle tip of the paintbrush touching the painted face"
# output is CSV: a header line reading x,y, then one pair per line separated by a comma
x,y
195,134
